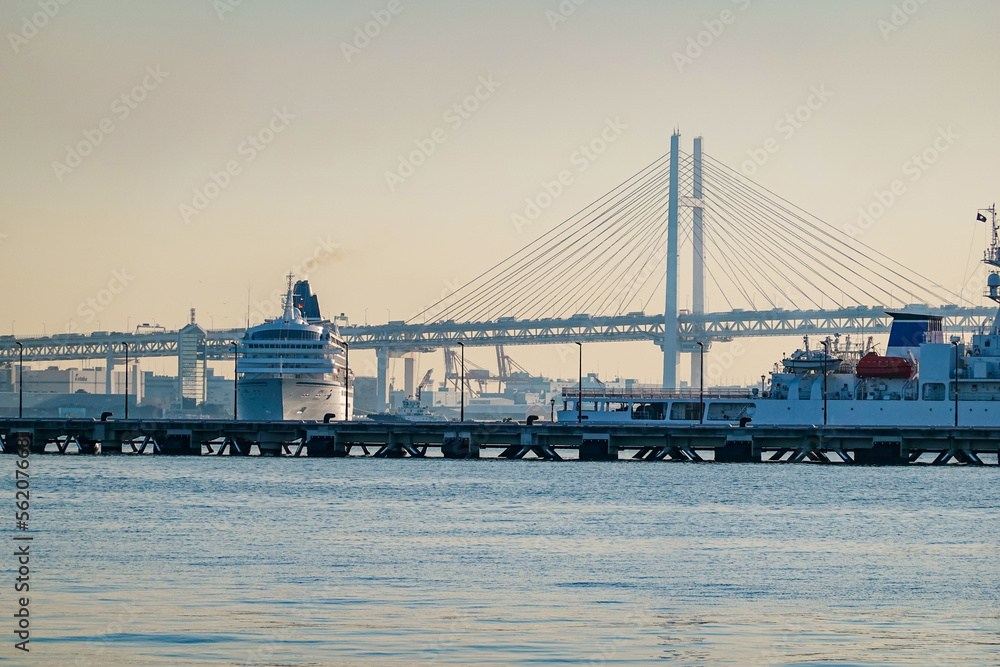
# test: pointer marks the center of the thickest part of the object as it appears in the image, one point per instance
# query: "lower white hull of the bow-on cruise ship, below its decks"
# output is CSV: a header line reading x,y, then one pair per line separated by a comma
x,y
291,399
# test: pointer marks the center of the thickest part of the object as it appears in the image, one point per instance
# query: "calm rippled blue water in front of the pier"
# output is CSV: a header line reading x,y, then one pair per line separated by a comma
x,y
147,560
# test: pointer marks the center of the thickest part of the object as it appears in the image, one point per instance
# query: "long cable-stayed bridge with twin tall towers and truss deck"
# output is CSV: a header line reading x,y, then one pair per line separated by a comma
x,y
684,224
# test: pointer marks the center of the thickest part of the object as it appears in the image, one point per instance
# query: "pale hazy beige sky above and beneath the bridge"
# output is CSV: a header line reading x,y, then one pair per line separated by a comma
x,y
158,157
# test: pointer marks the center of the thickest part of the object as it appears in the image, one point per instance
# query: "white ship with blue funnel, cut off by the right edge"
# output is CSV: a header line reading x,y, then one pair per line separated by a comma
x,y
922,380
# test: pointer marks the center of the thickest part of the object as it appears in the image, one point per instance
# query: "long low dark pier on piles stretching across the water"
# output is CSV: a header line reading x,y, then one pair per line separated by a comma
x,y
510,440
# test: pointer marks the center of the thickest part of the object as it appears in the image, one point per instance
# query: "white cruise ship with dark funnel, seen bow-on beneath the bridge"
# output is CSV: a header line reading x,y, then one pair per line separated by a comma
x,y
294,367
